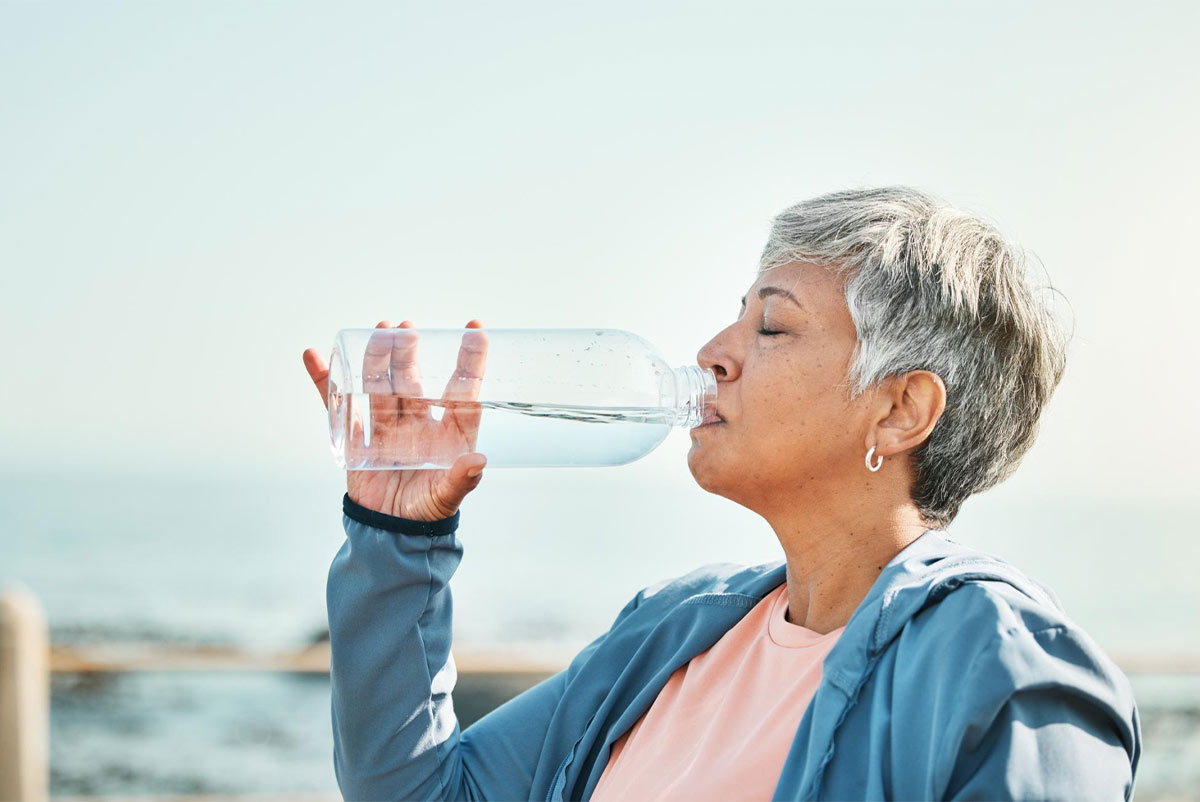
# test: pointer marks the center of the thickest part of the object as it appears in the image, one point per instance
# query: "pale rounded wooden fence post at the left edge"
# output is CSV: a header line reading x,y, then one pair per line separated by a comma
x,y
25,698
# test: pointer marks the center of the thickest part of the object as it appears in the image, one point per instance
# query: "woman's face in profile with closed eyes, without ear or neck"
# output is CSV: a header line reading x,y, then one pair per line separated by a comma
x,y
789,426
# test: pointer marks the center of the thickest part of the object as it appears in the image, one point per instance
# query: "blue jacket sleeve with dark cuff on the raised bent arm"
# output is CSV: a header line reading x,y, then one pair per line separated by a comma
x,y
395,732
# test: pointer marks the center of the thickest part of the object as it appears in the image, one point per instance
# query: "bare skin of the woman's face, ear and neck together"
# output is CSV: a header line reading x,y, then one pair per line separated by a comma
x,y
794,445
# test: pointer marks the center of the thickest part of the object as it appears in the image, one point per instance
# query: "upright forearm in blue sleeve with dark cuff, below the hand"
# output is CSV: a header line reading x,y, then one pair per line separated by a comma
x,y
391,613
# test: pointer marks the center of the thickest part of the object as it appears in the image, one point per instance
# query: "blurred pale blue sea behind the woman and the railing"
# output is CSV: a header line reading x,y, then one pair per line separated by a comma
x,y
550,558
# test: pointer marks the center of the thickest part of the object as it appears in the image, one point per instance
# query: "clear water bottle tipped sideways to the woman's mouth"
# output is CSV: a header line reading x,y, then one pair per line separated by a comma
x,y
524,398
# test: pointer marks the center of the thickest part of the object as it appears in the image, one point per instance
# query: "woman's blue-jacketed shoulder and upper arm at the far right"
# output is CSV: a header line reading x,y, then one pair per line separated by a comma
x,y
1023,686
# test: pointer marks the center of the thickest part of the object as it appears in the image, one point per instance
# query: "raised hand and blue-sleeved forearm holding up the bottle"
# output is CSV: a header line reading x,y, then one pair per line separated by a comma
x,y
395,734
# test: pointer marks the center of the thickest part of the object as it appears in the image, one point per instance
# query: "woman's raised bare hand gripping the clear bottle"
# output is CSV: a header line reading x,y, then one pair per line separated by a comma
x,y
418,495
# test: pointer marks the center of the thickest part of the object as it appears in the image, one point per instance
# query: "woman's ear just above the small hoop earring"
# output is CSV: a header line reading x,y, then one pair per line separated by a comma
x,y
909,406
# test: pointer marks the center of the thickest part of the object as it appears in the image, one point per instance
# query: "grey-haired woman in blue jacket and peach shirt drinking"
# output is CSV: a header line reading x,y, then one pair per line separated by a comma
x,y
891,360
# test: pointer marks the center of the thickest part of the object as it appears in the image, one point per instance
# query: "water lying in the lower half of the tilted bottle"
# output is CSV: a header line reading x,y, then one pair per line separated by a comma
x,y
511,434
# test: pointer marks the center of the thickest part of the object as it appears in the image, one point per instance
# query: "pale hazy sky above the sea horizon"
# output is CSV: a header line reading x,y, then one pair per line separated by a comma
x,y
194,194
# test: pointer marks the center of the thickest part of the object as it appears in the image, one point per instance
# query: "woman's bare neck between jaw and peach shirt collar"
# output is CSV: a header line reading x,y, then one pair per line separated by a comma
x,y
836,555
